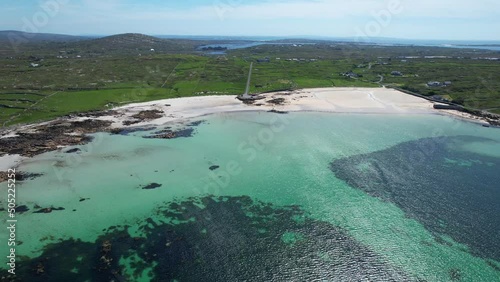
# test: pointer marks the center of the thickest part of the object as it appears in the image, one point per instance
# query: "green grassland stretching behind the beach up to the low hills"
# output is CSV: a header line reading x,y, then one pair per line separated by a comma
x,y
88,76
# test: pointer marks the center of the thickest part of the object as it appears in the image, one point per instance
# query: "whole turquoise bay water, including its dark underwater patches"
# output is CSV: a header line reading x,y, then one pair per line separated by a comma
x,y
260,196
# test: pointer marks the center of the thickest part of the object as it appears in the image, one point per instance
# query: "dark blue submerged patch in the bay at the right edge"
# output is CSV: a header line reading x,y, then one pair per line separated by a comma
x,y
453,193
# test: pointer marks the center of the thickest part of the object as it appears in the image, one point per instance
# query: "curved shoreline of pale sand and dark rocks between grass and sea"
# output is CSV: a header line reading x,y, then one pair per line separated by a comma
x,y
160,112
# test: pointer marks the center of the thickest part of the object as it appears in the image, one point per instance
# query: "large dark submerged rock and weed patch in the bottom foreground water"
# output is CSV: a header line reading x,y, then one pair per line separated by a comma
x,y
215,239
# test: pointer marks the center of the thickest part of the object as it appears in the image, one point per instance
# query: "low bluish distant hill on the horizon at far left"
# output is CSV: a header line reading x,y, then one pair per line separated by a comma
x,y
26,37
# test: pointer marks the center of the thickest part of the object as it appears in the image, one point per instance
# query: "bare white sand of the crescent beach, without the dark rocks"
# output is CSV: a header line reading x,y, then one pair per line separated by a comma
x,y
333,100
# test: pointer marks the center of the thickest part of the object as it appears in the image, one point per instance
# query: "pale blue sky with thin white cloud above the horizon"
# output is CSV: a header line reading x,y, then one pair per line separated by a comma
x,y
408,19
